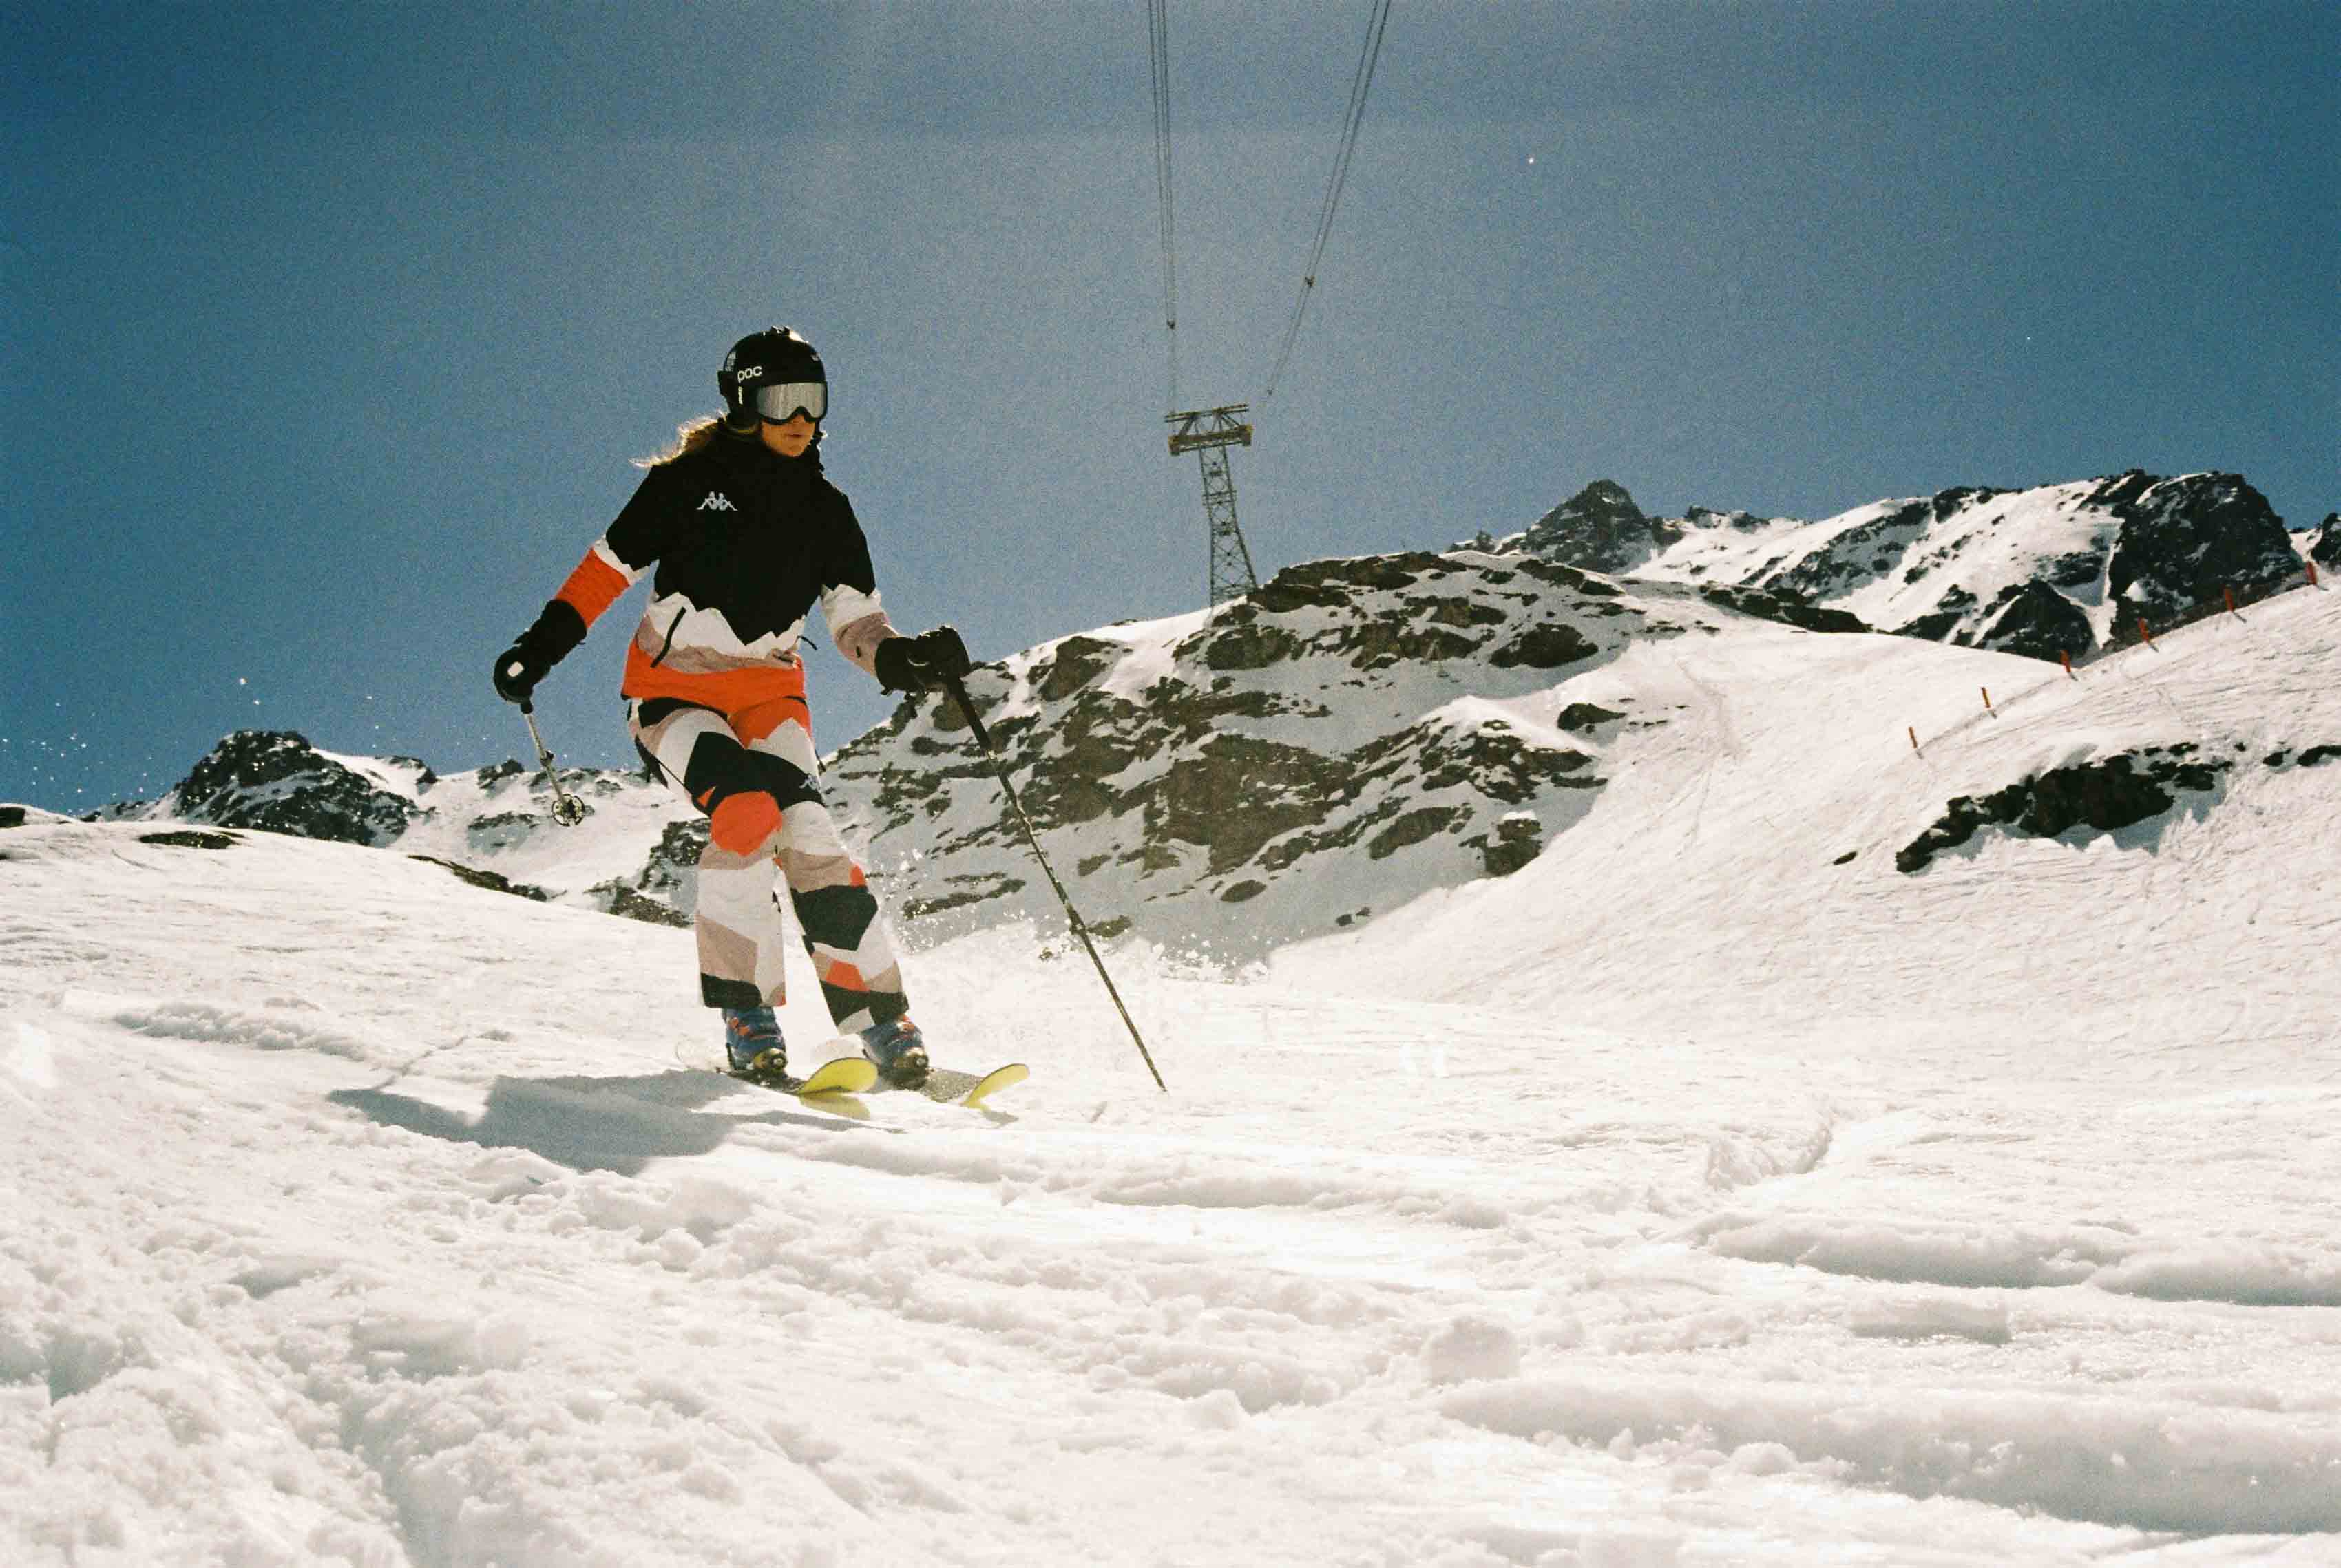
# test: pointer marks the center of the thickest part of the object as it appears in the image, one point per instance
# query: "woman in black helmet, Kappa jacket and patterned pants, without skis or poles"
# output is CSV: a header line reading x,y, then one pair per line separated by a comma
x,y
748,537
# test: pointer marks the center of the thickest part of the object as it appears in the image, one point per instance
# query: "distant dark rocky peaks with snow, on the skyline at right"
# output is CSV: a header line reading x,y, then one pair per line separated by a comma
x,y
2040,572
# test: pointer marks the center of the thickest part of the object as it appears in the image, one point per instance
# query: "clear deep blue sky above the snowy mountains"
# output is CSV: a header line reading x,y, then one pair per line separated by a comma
x,y
329,329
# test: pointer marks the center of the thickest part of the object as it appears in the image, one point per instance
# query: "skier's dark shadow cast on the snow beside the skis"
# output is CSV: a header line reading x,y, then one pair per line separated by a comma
x,y
591,1125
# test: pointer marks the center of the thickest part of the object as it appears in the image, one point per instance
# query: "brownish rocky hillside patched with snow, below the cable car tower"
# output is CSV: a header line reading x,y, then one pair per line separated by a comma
x,y
1343,741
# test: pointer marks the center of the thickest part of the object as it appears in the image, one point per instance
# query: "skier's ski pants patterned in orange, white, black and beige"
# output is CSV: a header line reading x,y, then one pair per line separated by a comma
x,y
755,776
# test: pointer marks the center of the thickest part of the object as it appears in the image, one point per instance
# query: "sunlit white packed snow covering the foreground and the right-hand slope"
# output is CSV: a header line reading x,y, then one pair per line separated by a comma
x,y
1708,1192
